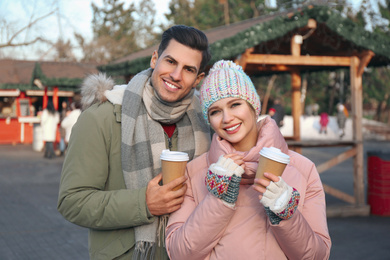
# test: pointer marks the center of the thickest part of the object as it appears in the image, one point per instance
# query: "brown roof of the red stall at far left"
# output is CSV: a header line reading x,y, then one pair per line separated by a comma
x,y
22,74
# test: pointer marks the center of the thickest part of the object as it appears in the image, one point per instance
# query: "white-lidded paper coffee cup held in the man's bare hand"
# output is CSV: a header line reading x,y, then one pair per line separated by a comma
x,y
173,165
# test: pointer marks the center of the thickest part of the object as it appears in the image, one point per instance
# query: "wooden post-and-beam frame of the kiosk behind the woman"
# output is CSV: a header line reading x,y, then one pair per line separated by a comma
x,y
293,63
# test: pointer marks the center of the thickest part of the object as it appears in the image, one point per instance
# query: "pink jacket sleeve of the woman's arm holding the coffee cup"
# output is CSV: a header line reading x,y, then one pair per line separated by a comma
x,y
305,235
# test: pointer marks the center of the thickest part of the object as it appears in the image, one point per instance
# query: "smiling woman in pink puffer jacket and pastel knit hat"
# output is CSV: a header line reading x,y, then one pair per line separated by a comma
x,y
221,219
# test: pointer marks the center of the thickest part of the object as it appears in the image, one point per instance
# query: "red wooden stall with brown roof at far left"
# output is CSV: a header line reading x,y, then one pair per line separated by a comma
x,y
26,86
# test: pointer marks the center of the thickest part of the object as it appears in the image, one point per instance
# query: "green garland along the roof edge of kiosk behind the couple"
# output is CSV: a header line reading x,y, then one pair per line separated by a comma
x,y
230,48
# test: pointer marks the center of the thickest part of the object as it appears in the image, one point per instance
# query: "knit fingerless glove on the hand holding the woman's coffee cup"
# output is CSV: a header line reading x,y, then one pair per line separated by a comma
x,y
280,201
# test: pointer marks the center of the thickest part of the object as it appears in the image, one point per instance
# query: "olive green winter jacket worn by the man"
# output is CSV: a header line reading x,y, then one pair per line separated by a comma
x,y
92,190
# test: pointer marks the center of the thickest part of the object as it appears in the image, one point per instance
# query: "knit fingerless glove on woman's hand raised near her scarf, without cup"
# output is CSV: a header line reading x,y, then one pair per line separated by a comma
x,y
223,179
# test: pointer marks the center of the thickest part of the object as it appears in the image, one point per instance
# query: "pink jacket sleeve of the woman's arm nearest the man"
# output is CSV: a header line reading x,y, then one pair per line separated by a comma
x,y
193,231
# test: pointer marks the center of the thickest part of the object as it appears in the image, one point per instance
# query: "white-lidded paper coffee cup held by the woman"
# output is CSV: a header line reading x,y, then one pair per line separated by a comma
x,y
271,160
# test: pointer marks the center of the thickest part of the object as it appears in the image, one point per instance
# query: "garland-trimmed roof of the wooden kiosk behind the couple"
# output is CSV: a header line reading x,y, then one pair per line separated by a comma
x,y
334,35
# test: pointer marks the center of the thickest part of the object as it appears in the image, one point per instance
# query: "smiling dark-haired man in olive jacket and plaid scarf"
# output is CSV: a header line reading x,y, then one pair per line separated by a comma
x,y
111,173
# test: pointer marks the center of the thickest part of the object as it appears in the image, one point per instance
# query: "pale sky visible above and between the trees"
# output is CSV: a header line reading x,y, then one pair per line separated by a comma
x,y
76,16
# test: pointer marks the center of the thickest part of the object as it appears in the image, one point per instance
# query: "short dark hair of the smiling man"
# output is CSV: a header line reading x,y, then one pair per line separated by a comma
x,y
188,36
